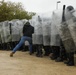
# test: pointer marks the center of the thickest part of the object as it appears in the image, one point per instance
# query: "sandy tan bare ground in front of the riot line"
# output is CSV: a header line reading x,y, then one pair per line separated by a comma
x,y
24,64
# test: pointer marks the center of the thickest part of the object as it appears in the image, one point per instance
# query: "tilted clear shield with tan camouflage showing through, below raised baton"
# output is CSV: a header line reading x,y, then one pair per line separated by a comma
x,y
66,37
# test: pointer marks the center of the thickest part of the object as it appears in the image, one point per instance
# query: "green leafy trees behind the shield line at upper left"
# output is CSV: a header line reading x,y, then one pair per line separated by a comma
x,y
11,10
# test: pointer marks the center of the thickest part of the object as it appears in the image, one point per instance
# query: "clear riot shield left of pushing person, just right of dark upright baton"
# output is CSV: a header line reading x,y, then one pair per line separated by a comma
x,y
15,31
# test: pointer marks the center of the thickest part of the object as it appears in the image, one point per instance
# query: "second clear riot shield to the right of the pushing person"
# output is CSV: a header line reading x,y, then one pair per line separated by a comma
x,y
46,24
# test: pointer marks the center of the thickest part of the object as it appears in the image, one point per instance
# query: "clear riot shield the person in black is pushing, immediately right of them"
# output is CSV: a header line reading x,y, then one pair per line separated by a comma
x,y
37,23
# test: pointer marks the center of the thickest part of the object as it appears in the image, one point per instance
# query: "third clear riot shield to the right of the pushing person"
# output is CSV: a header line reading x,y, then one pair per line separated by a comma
x,y
55,37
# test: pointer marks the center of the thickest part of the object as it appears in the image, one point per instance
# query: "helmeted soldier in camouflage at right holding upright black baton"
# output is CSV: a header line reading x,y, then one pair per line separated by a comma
x,y
66,37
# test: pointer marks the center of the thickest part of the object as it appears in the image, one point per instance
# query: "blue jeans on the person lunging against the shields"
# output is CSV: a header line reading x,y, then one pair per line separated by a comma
x,y
22,41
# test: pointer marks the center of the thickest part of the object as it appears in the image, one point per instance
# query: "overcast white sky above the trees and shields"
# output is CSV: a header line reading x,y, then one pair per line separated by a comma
x,y
42,6
